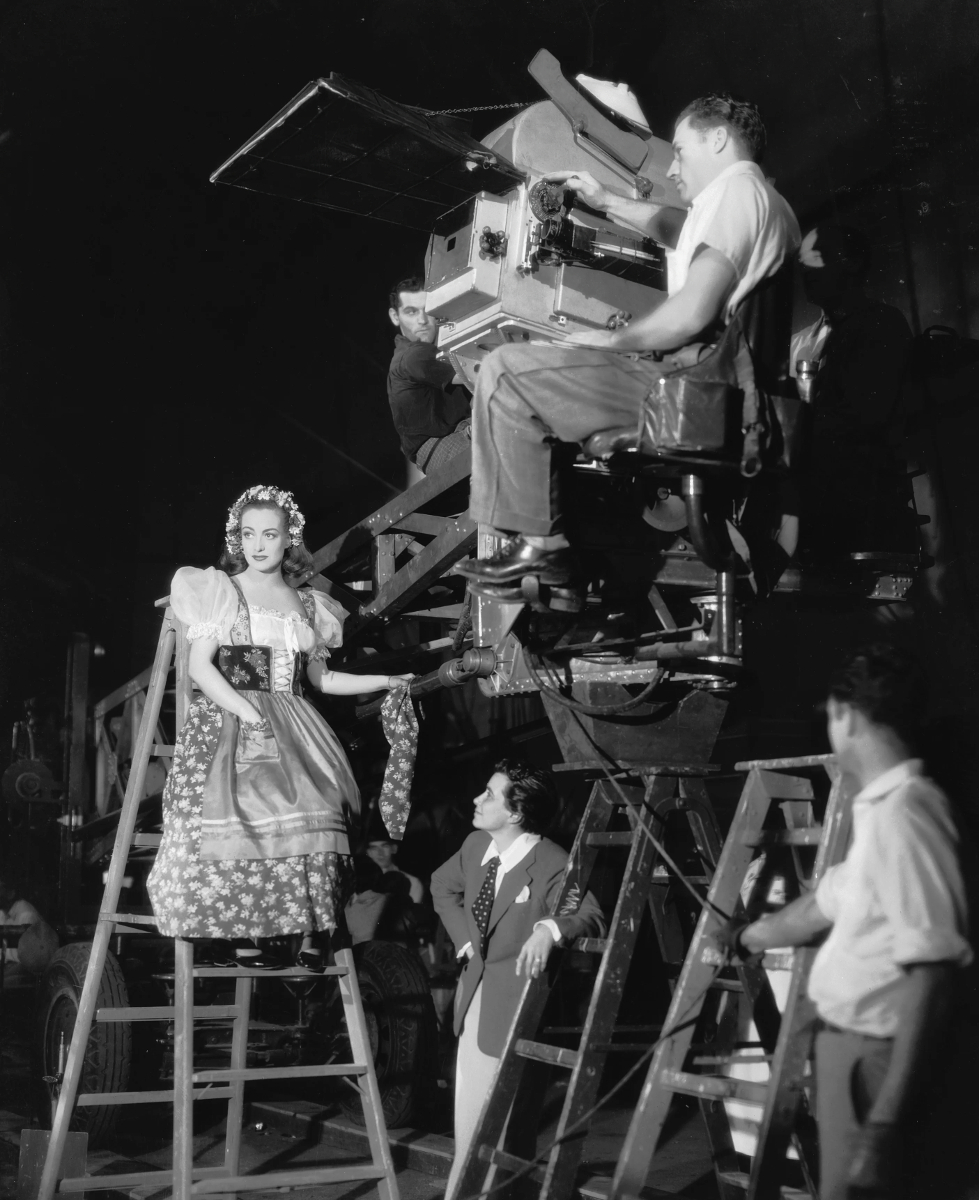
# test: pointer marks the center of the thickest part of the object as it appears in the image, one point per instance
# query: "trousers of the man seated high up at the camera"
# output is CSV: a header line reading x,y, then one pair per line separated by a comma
x,y
526,399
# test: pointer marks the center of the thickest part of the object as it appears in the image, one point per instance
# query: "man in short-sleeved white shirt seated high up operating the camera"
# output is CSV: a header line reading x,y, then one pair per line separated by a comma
x,y
737,233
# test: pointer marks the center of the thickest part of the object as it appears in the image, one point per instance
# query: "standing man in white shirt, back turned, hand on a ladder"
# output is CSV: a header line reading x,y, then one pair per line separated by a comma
x,y
896,911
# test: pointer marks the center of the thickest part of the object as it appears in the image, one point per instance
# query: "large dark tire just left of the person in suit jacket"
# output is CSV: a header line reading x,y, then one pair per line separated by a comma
x,y
403,1028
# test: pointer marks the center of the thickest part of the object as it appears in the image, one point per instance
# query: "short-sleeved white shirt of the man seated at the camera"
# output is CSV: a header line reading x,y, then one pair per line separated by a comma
x,y
743,218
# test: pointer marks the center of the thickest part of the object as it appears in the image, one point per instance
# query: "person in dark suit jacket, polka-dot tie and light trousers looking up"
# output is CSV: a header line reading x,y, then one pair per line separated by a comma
x,y
497,901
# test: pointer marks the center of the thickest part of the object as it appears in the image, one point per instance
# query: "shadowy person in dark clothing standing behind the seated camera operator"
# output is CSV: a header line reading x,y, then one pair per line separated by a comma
x,y
855,497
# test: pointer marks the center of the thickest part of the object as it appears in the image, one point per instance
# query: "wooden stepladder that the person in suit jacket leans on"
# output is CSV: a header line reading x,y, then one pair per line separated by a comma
x,y
648,796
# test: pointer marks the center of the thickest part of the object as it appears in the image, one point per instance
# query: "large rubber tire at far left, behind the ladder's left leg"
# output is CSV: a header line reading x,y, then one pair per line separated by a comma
x,y
110,1051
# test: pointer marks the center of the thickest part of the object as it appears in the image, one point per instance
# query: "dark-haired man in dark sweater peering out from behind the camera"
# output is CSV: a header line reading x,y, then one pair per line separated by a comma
x,y
430,409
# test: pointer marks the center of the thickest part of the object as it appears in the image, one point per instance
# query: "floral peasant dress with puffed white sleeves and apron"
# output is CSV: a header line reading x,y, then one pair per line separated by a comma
x,y
255,821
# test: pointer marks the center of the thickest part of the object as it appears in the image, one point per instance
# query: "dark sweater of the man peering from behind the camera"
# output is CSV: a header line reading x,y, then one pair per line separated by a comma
x,y
424,401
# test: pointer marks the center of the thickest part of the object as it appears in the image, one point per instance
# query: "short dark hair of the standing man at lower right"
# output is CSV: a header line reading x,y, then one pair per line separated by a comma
x,y
887,685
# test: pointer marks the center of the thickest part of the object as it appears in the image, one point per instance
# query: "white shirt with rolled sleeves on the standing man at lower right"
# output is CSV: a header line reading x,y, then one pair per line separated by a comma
x,y
898,899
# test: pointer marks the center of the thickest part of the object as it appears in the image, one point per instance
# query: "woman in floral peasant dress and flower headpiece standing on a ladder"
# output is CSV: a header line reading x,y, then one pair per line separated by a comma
x,y
257,807
